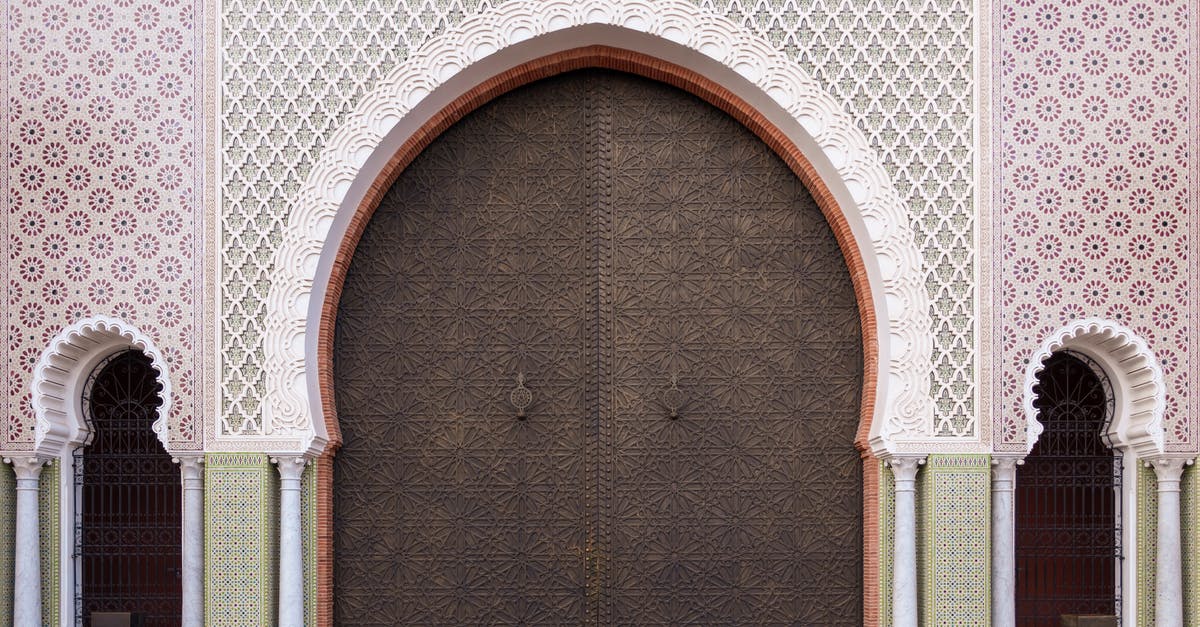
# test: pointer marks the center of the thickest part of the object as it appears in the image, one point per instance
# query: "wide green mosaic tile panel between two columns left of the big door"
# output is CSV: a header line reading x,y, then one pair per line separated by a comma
x,y
241,540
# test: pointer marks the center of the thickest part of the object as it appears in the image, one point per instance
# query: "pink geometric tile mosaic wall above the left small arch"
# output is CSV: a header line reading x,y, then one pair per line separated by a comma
x,y
103,205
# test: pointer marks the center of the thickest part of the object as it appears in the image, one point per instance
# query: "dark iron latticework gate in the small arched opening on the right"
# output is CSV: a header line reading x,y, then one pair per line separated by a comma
x,y
1069,500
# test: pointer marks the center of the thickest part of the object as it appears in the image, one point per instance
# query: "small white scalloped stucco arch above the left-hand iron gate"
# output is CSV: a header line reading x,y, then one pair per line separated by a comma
x,y
62,375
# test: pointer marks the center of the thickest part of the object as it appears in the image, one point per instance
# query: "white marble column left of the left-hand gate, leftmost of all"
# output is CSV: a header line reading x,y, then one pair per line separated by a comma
x,y
27,592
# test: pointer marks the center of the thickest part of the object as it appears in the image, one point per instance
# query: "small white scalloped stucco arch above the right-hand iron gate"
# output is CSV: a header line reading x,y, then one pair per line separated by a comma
x,y
1138,389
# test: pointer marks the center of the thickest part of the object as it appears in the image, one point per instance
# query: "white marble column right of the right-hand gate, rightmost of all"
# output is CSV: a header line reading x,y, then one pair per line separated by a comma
x,y
1169,575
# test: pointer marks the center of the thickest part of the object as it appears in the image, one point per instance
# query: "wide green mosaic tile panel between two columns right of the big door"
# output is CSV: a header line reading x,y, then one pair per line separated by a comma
x,y
955,533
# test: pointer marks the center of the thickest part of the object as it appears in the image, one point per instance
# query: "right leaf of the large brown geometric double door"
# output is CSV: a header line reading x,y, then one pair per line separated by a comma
x,y
727,280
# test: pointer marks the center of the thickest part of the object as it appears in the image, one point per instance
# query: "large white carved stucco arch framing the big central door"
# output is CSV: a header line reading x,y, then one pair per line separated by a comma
x,y
675,32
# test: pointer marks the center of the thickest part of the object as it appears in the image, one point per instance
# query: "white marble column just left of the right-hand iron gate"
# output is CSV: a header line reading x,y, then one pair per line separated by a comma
x,y
1004,546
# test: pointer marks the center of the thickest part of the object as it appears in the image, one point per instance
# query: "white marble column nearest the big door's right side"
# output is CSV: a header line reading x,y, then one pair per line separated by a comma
x,y
904,575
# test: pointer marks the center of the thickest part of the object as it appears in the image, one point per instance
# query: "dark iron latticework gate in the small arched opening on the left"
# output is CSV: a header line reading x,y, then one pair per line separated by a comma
x,y
129,500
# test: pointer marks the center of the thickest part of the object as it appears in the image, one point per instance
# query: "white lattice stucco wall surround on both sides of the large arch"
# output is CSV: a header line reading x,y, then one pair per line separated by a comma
x,y
293,69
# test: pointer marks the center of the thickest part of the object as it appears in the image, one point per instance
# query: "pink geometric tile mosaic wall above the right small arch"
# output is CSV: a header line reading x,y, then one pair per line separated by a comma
x,y
1094,187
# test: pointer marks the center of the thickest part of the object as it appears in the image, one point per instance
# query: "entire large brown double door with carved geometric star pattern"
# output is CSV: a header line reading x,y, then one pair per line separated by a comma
x,y
687,330
